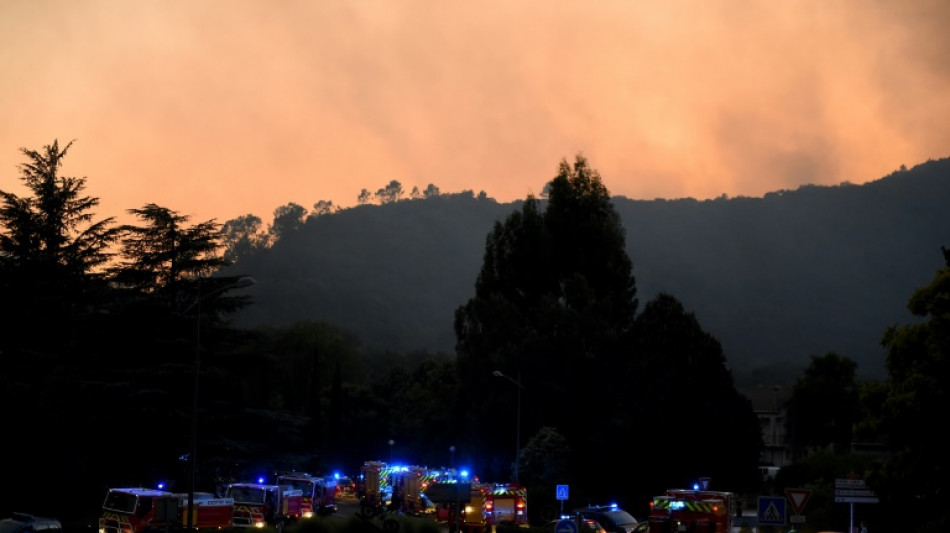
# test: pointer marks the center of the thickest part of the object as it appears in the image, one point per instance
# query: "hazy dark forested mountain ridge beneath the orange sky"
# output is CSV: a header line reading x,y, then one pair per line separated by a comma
x,y
775,279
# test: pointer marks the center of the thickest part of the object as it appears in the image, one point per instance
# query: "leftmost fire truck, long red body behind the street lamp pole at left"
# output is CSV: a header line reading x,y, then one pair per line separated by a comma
x,y
137,510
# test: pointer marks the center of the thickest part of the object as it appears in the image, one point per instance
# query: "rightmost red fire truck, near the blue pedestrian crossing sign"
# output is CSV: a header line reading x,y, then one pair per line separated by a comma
x,y
694,511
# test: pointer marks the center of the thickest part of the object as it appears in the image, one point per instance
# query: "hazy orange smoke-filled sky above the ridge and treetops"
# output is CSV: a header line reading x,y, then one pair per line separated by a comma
x,y
221,108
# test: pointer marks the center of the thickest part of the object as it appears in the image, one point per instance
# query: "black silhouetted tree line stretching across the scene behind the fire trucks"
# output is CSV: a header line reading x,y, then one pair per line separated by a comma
x,y
101,332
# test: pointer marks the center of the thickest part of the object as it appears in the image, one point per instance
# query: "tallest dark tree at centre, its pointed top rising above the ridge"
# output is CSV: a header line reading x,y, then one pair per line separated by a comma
x,y
554,307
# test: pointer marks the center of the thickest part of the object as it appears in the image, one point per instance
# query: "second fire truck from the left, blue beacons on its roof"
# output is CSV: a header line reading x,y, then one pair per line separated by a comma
x,y
257,505
